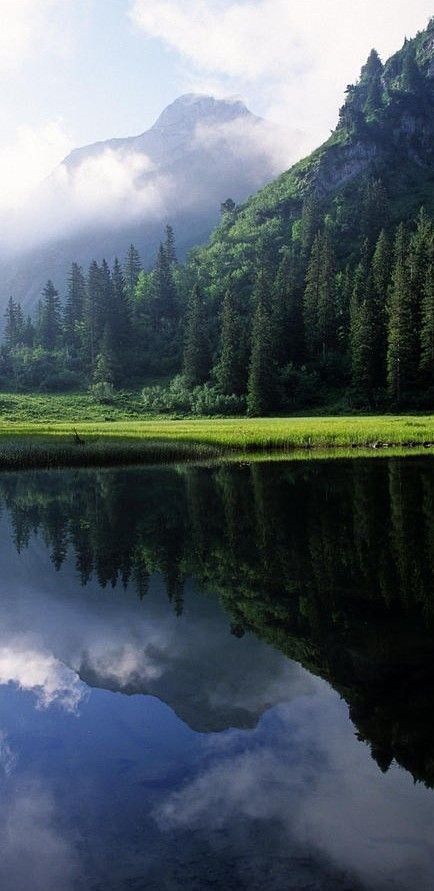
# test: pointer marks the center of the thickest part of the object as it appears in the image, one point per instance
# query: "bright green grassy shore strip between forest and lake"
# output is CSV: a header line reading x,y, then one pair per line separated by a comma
x,y
116,443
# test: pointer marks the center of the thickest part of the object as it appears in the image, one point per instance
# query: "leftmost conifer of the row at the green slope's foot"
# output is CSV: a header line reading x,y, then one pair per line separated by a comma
x,y
196,358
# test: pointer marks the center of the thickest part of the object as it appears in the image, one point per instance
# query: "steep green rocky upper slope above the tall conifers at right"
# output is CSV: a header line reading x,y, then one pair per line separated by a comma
x,y
385,132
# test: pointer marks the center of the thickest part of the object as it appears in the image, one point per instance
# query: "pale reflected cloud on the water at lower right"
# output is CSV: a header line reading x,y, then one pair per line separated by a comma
x,y
323,790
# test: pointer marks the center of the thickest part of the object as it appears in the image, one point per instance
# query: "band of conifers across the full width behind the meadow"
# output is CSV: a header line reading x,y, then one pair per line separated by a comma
x,y
310,329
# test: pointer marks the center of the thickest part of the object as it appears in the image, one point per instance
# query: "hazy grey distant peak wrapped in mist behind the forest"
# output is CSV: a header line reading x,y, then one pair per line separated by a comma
x,y
107,195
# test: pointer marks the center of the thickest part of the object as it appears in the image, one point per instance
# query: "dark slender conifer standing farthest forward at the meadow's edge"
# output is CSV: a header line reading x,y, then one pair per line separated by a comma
x,y
261,386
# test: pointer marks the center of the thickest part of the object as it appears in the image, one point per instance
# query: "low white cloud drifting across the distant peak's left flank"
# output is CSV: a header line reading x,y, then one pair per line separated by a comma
x,y
104,190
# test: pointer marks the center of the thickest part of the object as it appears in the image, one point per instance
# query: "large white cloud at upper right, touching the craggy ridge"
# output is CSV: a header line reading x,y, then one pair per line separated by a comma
x,y
292,59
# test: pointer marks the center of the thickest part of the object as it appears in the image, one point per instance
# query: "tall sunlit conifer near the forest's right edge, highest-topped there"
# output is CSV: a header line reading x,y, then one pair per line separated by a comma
x,y
400,335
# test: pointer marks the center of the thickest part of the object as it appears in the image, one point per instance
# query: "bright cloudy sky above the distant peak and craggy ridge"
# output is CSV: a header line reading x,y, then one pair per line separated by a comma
x,y
77,71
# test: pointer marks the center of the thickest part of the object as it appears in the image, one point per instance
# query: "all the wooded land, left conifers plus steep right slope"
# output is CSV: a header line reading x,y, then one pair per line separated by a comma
x,y
319,290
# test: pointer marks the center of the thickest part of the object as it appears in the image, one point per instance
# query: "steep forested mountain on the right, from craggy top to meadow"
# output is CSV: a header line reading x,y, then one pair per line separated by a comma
x,y
325,276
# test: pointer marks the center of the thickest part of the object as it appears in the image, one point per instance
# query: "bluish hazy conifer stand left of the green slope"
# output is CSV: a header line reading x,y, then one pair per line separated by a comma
x,y
113,326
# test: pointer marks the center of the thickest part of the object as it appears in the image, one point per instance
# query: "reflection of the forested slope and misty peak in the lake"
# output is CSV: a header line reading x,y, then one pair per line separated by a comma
x,y
332,563
